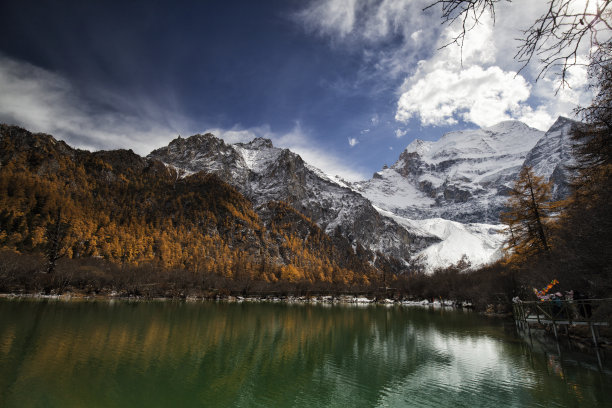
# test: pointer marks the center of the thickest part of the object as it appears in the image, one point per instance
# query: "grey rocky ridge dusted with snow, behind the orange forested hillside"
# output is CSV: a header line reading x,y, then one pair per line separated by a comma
x,y
264,173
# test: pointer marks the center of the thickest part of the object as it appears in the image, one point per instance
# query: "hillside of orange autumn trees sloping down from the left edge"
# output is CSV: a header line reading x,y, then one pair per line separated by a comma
x,y
115,206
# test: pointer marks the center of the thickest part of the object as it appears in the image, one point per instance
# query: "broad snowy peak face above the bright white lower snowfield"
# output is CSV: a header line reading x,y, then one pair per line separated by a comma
x,y
464,176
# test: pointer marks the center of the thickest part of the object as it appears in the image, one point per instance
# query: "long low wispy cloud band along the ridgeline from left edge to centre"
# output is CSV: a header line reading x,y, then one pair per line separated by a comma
x,y
42,101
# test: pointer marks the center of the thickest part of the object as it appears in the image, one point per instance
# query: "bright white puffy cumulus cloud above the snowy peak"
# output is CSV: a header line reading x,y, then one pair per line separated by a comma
x,y
480,90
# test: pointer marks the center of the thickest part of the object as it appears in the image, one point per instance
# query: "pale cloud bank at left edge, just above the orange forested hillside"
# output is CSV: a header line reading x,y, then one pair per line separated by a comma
x,y
42,101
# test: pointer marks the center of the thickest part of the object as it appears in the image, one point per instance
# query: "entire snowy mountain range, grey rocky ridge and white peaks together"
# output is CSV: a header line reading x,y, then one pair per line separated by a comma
x,y
440,201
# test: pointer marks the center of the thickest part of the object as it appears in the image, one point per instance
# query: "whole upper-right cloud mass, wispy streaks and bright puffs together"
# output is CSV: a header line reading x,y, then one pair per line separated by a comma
x,y
477,83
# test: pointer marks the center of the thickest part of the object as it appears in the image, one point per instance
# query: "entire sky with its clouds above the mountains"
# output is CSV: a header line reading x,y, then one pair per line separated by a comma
x,y
347,84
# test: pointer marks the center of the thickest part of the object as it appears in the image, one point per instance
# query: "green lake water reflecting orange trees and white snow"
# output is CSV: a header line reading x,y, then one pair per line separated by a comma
x,y
173,354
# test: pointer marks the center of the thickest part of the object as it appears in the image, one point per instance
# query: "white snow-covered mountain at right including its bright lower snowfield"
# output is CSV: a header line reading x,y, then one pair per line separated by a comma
x,y
455,188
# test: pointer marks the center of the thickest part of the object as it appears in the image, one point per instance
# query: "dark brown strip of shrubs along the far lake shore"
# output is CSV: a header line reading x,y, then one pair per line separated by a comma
x,y
24,275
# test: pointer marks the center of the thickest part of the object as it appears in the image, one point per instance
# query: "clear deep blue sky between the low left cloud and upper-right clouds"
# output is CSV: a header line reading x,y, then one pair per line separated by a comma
x,y
217,63
